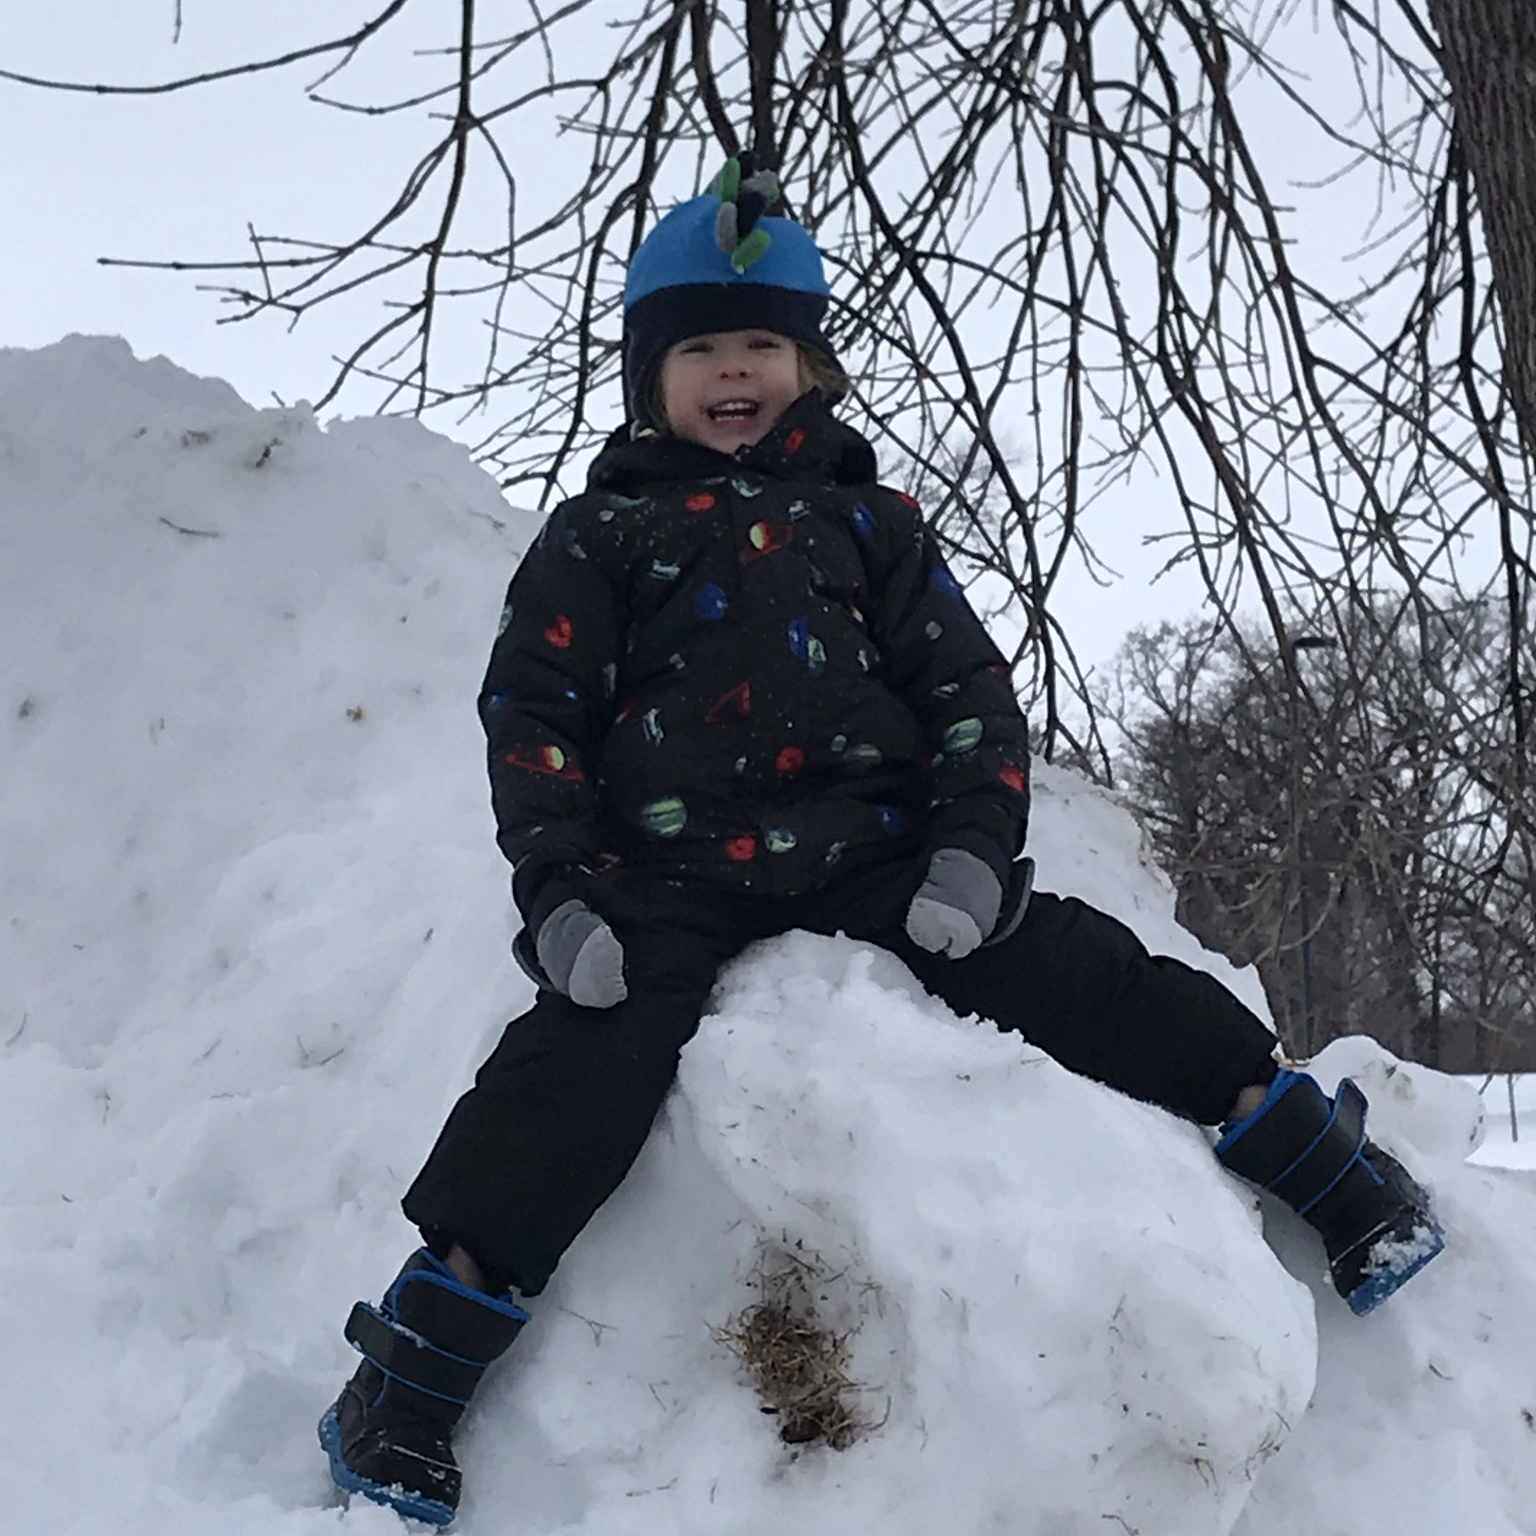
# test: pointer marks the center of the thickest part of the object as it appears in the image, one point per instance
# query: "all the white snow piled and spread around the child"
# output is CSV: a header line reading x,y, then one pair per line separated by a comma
x,y
254,944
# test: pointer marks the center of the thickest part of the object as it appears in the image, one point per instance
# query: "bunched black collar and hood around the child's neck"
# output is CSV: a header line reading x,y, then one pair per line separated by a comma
x,y
807,443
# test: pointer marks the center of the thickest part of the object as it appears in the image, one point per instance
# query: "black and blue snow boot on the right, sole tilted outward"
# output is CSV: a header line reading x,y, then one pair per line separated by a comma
x,y
1313,1153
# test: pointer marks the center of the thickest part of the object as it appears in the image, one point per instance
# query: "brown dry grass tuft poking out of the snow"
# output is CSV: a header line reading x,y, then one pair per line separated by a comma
x,y
796,1362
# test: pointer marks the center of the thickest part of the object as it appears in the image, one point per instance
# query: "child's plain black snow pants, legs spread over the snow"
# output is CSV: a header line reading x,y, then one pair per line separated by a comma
x,y
564,1104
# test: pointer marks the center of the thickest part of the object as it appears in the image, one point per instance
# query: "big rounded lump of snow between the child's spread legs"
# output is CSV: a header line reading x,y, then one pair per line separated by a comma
x,y
1067,1297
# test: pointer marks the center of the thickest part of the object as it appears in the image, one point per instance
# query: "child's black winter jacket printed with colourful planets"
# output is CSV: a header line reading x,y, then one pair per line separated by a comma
x,y
747,669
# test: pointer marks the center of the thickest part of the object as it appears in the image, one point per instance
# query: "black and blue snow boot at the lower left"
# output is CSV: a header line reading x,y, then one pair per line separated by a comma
x,y
426,1346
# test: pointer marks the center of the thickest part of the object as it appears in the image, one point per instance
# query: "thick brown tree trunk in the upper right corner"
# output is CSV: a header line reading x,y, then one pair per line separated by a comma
x,y
1489,55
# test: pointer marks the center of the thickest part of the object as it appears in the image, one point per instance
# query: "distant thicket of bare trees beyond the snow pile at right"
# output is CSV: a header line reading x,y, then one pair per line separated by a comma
x,y
1354,841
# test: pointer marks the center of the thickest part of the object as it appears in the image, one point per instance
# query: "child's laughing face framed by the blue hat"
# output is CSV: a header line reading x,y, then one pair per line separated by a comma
x,y
729,388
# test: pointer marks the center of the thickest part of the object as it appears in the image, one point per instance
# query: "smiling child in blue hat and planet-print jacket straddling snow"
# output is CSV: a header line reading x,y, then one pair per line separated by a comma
x,y
737,692
